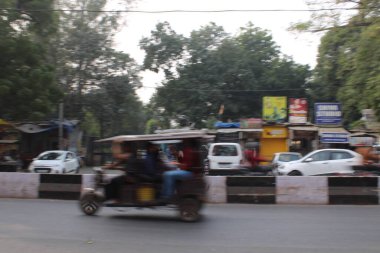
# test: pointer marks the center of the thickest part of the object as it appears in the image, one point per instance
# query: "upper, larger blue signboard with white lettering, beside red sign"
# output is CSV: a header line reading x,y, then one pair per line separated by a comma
x,y
328,114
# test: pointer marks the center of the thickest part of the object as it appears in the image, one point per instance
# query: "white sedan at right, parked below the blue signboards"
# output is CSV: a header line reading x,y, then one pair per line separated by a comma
x,y
322,162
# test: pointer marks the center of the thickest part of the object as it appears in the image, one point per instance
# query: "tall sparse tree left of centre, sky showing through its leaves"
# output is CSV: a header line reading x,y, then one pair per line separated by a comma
x,y
96,78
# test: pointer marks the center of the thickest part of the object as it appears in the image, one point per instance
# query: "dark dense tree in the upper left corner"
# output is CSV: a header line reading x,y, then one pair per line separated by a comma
x,y
28,90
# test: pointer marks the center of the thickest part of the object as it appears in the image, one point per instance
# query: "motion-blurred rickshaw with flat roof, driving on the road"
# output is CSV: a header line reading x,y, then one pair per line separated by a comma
x,y
143,191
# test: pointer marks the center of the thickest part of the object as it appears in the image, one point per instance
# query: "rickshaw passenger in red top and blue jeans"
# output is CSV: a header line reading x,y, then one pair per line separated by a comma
x,y
183,172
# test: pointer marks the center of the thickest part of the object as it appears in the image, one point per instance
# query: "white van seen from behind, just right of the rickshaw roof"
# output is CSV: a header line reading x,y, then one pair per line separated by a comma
x,y
224,156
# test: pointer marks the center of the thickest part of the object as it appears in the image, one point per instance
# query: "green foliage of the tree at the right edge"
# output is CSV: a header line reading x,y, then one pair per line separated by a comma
x,y
348,63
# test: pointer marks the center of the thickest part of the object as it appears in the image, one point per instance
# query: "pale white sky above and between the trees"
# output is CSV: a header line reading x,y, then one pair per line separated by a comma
x,y
301,47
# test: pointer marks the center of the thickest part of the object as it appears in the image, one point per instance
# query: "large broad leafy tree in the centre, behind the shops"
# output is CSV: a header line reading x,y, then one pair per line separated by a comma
x,y
219,69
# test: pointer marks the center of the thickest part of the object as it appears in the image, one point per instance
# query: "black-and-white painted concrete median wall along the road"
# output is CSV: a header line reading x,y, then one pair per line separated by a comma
x,y
221,189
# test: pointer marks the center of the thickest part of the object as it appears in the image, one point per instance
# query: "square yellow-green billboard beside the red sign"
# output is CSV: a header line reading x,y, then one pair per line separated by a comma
x,y
274,109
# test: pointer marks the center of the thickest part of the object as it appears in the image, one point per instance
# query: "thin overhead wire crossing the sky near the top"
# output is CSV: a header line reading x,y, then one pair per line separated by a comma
x,y
186,11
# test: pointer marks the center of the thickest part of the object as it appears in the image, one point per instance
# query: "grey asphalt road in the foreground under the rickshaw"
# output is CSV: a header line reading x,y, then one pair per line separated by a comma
x,y
54,226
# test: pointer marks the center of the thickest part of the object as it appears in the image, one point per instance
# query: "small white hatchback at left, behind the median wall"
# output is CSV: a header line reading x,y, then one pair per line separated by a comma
x,y
55,161
